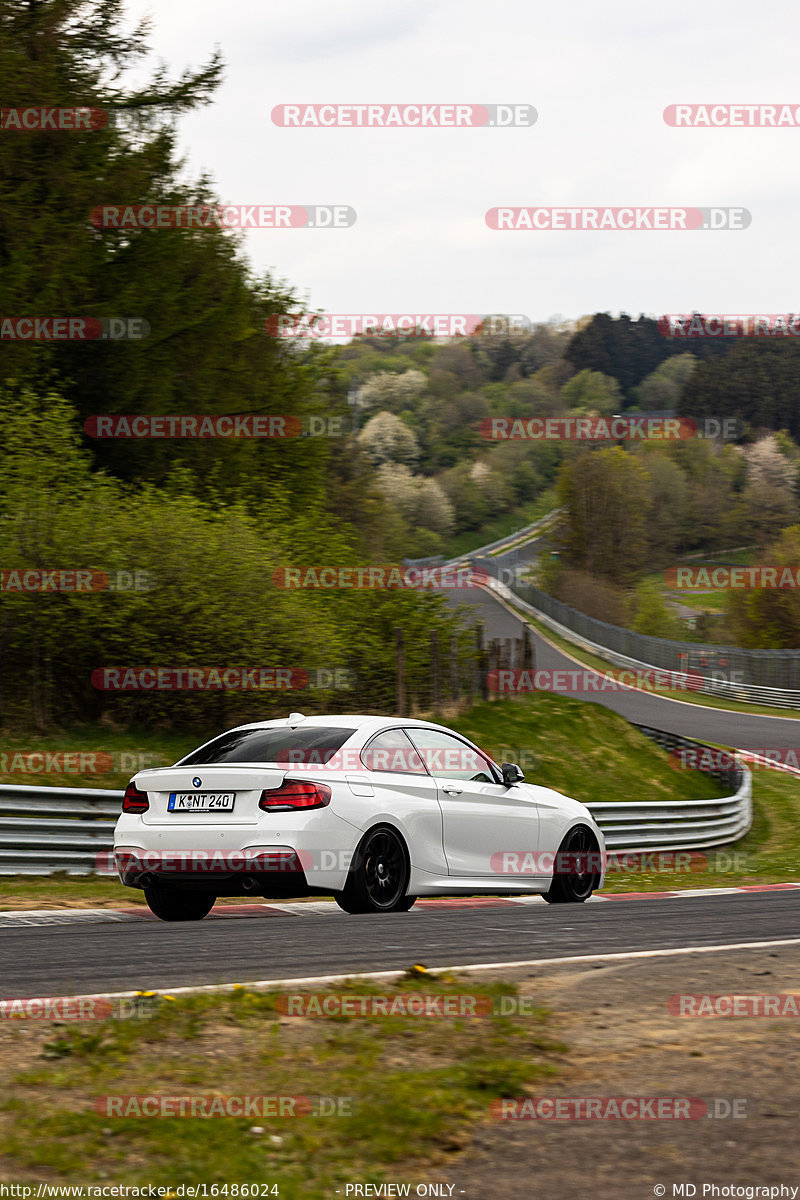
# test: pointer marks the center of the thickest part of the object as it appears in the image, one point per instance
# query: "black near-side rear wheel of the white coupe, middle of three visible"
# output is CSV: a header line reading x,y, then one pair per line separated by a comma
x,y
380,875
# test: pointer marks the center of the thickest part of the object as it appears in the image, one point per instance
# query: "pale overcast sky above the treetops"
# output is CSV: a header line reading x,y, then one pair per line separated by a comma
x,y
599,75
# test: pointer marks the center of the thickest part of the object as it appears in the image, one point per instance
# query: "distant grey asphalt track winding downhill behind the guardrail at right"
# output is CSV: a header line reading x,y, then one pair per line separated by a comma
x,y
690,721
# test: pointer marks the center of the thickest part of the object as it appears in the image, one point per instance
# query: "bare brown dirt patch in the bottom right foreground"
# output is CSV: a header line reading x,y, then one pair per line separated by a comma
x,y
624,1042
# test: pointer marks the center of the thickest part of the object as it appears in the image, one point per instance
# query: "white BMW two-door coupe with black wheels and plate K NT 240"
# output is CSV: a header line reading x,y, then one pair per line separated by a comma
x,y
372,809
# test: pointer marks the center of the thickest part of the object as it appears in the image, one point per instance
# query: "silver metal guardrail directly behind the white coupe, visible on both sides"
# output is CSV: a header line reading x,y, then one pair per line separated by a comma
x,y
71,830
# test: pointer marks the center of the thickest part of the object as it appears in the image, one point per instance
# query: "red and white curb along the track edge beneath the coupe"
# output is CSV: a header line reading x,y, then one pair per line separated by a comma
x,y
13,919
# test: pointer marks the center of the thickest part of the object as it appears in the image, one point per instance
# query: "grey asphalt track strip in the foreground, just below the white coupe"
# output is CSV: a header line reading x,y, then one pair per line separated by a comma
x,y
86,959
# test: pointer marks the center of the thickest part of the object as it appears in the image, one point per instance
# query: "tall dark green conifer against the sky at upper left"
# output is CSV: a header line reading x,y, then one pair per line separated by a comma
x,y
208,350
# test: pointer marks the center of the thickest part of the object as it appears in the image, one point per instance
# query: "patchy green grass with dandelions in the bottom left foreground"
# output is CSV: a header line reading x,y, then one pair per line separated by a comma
x,y
416,1088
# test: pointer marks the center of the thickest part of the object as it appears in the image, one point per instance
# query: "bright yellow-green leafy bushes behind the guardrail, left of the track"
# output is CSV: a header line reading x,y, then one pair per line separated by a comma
x,y
212,599
